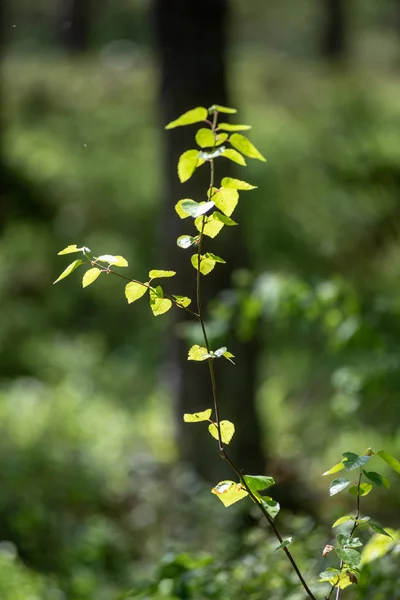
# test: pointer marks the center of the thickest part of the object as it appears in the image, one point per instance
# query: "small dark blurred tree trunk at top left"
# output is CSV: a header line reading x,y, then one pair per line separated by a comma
x,y
73,25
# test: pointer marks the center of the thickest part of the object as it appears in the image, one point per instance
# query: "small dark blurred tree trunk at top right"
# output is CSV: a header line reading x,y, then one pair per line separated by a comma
x,y
334,30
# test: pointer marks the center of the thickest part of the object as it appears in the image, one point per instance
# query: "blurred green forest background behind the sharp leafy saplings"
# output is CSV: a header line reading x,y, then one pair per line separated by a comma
x,y
101,489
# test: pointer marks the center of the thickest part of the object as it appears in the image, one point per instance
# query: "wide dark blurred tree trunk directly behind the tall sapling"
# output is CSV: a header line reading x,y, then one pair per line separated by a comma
x,y
191,45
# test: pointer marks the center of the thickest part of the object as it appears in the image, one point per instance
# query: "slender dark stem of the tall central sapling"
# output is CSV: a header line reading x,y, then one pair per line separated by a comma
x,y
221,447
